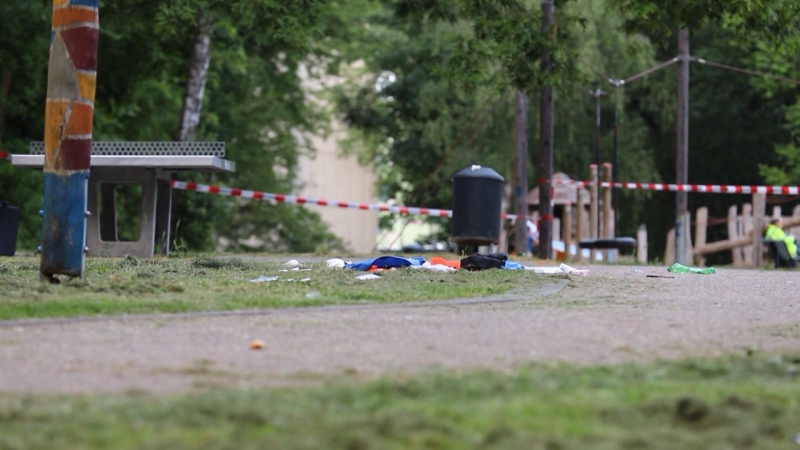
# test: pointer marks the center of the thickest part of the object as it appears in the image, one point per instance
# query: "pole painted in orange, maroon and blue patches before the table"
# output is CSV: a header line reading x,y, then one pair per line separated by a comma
x,y
71,82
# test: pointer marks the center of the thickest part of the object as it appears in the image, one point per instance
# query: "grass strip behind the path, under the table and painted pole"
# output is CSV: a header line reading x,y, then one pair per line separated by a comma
x,y
176,285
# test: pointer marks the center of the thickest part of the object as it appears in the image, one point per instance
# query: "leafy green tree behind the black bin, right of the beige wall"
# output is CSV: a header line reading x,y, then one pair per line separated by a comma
x,y
409,117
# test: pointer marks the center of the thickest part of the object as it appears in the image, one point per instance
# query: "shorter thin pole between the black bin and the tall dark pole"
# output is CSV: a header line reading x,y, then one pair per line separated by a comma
x,y
521,171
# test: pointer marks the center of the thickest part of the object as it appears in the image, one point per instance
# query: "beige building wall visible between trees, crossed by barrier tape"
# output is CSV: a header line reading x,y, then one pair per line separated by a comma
x,y
331,176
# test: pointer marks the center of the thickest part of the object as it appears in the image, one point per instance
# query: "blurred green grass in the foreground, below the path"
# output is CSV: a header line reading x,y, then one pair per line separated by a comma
x,y
731,403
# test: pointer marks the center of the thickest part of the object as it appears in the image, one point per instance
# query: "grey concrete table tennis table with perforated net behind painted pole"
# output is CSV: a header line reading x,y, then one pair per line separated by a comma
x,y
147,164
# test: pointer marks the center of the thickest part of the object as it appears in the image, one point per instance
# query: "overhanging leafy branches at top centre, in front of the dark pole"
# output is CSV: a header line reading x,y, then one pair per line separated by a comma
x,y
501,41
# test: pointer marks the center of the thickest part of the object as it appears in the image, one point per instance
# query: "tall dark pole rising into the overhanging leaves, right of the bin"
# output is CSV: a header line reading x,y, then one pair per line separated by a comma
x,y
546,144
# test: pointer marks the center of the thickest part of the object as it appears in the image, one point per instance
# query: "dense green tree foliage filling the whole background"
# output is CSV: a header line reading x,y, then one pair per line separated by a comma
x,y
429,92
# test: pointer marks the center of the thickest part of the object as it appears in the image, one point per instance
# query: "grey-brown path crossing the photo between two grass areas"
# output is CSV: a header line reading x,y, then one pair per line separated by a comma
x,y
617,314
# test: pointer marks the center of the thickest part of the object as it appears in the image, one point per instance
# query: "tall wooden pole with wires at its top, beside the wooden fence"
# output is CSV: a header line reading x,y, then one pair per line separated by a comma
x,y
682,148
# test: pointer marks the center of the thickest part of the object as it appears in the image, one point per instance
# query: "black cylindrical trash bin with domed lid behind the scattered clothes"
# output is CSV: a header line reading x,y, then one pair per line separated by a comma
x,y
477,203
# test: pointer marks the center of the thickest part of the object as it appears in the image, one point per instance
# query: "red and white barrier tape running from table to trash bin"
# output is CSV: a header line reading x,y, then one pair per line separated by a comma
x,y
256,195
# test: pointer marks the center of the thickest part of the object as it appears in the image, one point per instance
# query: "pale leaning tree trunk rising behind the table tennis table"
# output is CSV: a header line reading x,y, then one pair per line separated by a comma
x,y
195,79
